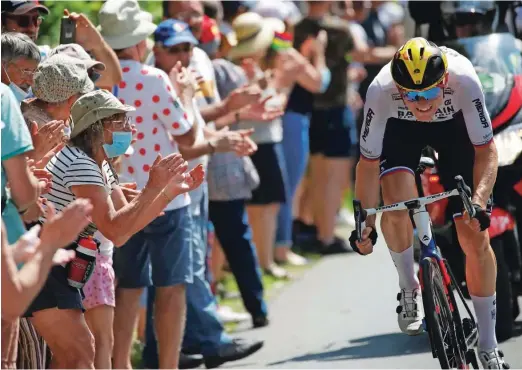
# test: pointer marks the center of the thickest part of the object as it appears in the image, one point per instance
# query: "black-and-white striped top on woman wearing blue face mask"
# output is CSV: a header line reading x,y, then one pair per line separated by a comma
x,y
72,167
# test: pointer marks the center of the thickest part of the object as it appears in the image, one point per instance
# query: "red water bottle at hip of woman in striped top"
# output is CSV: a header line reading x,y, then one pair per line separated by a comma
x,y
81,267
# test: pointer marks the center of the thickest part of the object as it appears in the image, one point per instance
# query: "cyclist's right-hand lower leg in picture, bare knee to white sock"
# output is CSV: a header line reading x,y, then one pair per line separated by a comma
x,y
481,273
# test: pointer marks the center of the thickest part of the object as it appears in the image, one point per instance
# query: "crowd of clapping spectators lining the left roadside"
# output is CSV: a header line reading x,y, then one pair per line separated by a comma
x,y
140,161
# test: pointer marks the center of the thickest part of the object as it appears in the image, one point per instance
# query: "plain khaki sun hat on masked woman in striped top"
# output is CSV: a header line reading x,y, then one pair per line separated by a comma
x,y
94,106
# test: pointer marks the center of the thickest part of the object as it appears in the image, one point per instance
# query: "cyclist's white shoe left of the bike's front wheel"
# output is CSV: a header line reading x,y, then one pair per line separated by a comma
x,y
409,311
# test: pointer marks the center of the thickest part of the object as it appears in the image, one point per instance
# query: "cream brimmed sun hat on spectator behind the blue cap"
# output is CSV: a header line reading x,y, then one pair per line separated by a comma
x,y
254,34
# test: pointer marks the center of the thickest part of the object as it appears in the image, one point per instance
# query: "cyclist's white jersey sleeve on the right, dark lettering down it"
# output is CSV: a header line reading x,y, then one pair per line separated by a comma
x,y
476,116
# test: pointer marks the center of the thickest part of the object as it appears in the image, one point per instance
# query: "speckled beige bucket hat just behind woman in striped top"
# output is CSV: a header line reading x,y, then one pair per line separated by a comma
x,y
59,77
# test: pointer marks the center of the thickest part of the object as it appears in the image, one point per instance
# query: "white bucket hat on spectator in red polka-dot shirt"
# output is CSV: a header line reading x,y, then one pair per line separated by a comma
x,y
123,24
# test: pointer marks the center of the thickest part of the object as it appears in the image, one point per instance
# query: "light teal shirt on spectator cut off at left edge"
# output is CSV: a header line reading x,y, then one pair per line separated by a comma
x,y
16,140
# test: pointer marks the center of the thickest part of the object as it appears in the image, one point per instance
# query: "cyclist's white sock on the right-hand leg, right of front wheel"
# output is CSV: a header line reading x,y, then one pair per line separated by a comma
x,y
486,311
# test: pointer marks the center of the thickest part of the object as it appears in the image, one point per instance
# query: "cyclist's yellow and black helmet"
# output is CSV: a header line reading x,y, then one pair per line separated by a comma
x,y
419,65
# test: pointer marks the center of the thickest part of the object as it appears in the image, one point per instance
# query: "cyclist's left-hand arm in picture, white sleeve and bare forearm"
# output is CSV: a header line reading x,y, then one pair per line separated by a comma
x,y
367,184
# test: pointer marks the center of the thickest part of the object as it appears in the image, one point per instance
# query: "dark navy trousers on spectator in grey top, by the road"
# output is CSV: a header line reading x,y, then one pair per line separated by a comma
x,y
233,231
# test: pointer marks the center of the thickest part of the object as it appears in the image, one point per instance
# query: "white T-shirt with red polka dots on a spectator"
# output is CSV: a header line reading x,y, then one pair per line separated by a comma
x,y
159,115
